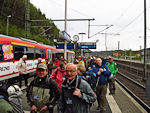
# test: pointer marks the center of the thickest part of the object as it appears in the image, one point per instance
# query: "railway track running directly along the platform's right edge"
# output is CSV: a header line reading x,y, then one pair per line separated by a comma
x,y
135,89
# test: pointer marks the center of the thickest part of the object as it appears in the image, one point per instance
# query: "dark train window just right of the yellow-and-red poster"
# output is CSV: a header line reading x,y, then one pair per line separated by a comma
x,y
19,51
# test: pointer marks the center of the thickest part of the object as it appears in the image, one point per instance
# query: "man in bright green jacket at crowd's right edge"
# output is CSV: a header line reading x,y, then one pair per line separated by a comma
x,y
113,68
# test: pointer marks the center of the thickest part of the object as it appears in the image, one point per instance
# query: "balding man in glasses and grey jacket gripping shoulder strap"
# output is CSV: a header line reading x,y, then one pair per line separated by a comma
x,y
77,94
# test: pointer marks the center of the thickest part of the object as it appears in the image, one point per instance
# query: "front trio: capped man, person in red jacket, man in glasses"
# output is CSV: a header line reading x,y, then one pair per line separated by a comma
x,y
63,87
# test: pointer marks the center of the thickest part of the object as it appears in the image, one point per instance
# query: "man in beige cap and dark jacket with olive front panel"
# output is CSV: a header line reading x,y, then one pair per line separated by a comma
x,y
42,93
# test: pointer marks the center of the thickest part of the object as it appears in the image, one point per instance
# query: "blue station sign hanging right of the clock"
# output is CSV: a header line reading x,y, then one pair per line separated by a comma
x,y
86,45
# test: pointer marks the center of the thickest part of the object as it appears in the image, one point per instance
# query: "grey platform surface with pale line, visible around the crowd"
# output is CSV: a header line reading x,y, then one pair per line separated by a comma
x,y
120,102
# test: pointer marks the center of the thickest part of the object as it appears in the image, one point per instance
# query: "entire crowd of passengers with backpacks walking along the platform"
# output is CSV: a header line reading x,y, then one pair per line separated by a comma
x,y
73,87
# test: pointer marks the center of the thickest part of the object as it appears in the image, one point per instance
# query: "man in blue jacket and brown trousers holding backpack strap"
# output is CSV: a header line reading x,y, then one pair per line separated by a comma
x,y
101,85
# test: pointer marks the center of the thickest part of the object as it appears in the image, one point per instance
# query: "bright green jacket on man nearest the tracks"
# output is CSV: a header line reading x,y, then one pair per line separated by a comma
x,y
112,67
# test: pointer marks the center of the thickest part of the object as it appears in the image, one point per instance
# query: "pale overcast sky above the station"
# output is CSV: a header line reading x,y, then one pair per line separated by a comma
x,y
125,16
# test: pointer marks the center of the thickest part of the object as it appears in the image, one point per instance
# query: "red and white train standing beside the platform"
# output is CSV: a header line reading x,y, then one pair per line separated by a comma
x,y
13,48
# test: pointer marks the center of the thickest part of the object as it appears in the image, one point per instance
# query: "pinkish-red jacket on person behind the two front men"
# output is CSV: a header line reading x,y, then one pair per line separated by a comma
x,y
58,77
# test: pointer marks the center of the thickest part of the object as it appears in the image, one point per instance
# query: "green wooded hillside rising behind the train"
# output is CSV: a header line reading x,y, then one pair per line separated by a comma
x,y
16,8
